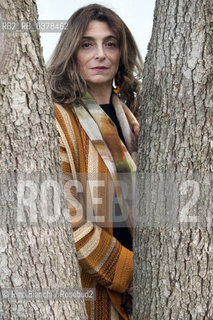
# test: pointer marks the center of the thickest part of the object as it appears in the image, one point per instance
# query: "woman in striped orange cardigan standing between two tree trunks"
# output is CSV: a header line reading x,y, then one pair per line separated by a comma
x,y
98,133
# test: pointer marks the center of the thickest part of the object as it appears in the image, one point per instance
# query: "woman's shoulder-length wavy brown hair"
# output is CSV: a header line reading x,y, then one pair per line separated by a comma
x,y
65,81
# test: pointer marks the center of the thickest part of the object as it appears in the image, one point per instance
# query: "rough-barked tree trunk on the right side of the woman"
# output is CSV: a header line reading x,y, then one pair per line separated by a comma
x,y
173,235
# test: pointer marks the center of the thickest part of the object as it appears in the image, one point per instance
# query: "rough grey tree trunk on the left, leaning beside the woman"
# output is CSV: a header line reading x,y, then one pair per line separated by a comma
x,y
36,242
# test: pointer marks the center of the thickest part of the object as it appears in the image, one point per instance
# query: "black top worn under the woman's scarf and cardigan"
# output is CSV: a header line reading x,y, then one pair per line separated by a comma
x,y
121,232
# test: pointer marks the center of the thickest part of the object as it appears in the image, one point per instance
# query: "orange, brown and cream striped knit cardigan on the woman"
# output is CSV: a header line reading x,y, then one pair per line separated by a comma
x,y
105,264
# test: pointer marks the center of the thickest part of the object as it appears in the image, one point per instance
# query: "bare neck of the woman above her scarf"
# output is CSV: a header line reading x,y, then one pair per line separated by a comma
x,y
101,93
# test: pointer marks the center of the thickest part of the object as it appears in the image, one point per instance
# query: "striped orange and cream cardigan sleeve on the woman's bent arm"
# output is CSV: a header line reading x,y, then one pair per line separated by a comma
x,y
99,253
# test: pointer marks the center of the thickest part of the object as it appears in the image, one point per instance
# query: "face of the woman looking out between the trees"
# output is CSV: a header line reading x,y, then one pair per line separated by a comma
x,y
99,55
